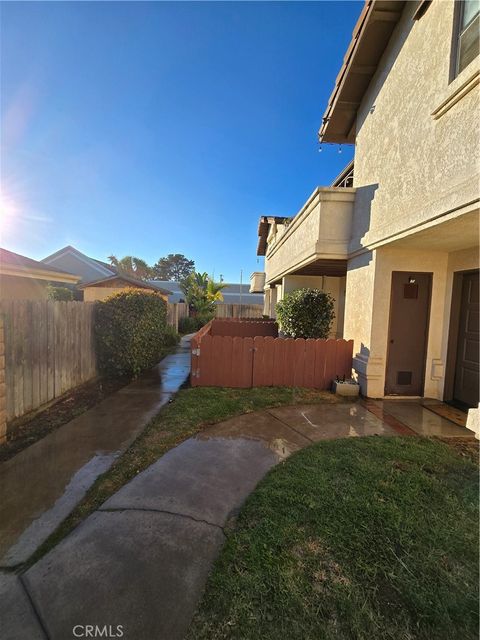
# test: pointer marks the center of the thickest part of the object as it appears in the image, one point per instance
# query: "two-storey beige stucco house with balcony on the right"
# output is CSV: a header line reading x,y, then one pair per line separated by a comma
x,y
402,243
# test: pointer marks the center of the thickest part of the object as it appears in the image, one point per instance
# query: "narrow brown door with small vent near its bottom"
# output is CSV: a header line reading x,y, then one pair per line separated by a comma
x,y
408,332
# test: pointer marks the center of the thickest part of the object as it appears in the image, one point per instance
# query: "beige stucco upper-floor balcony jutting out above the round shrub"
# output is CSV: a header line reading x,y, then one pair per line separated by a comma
x,y
314,242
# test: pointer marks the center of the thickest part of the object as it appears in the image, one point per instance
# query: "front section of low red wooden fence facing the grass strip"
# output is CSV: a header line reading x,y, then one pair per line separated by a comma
x,y
263,361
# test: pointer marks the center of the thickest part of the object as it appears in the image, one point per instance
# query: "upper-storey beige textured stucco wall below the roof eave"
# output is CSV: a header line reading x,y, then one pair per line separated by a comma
x,y
410,164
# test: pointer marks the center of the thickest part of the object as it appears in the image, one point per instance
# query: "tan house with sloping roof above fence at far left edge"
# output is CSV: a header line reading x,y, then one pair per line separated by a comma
x,y
22,278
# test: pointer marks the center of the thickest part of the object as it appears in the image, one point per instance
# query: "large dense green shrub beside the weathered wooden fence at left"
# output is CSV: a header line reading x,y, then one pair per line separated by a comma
x,y
130,329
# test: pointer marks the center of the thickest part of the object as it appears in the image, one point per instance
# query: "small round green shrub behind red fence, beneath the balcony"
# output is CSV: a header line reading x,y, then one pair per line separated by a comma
x,y
306,313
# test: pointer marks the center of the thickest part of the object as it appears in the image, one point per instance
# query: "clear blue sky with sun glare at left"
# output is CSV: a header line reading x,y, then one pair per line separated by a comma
x,y
156,128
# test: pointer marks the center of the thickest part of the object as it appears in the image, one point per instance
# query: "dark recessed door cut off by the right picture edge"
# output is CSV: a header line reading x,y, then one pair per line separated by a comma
x,y
466,367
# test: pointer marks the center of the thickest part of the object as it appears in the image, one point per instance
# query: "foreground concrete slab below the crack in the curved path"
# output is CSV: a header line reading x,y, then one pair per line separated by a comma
x,y
137,569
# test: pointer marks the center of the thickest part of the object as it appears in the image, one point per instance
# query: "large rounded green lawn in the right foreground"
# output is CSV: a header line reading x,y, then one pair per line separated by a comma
x,y
361,538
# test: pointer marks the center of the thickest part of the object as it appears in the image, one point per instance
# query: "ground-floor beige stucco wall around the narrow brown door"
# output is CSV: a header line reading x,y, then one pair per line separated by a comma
x,y
367,311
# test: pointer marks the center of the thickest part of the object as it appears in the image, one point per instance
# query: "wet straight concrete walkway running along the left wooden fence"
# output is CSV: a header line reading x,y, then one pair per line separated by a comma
x,y
41,485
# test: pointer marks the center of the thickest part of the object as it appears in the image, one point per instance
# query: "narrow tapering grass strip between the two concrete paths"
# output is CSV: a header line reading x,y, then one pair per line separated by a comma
x,y
192,410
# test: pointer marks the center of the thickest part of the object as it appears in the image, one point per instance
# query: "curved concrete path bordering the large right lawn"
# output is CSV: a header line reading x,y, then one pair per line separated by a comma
x,y
142,560
